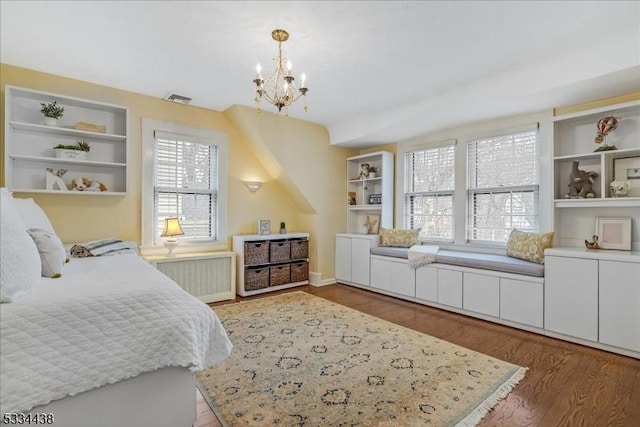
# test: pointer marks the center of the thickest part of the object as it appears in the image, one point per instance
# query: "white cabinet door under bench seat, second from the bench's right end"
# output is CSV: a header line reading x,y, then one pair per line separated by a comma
x,y
481,294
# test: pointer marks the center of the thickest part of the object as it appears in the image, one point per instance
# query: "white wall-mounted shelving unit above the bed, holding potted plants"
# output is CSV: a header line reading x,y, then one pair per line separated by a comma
x,y
29,143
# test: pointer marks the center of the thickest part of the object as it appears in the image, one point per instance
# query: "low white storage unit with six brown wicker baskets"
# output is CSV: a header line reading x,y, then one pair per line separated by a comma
x,y
270,262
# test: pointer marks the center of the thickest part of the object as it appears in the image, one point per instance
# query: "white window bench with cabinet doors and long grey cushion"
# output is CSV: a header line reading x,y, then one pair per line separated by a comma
x,y
492,287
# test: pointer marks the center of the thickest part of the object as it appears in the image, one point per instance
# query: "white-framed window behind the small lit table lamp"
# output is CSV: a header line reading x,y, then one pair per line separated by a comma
x,y
184,176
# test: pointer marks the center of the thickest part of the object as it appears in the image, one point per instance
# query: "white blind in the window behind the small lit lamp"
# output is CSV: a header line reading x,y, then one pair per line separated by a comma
x,y
186,185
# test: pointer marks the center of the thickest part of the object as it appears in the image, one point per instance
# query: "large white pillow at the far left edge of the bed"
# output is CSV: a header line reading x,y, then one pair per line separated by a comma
x,y
20,266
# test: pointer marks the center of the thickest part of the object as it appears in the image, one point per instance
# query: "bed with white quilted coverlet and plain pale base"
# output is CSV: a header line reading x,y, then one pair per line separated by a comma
x,y
113,342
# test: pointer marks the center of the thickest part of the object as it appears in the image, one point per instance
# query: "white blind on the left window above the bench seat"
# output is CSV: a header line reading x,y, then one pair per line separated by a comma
x,y
430,184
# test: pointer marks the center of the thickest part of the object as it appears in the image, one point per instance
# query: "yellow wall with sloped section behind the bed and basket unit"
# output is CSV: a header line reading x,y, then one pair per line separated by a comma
x,y
303,175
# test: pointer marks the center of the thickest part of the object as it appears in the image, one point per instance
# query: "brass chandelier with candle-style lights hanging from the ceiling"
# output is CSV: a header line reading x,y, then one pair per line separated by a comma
x,y
280,88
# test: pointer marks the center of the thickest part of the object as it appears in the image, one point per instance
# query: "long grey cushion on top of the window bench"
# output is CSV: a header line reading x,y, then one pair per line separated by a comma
x,y
493,262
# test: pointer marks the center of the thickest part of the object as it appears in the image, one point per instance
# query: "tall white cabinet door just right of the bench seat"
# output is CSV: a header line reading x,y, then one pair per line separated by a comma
x,y
571,297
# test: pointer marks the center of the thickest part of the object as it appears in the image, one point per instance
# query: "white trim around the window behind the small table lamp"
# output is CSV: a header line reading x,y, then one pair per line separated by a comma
x,y
149,128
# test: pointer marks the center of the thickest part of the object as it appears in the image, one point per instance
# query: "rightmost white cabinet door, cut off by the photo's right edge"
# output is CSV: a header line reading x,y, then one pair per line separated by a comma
x,y
620,304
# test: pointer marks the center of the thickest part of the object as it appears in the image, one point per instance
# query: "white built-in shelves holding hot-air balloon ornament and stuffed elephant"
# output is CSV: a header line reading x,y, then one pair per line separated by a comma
x,y
573,141
